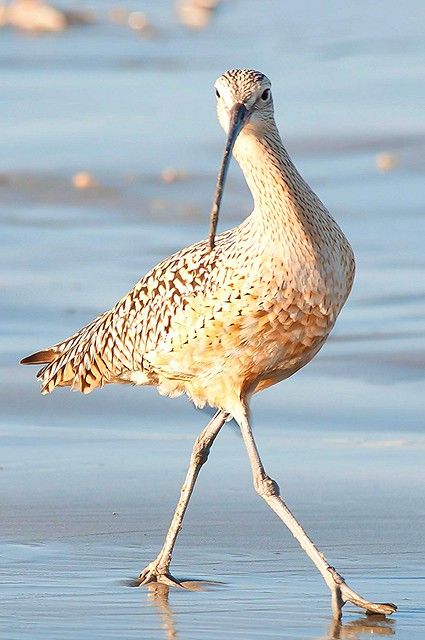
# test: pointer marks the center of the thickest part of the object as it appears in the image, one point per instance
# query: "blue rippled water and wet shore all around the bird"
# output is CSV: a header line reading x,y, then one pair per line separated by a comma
x,y
110,148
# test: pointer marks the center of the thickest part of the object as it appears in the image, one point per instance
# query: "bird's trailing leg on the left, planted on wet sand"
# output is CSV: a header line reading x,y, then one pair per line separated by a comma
x,y
158,570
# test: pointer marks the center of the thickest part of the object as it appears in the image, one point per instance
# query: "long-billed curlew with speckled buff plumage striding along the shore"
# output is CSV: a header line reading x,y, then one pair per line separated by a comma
x,y
230,316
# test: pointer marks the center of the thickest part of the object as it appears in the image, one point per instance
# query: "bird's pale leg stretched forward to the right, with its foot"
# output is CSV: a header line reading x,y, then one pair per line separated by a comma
x,y
269,491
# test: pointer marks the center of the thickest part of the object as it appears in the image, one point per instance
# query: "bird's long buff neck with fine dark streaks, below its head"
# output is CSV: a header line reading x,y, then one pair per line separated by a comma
x,y
289,220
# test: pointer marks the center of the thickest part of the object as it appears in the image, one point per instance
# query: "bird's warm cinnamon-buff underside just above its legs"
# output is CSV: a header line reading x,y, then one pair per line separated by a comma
x,y
235,354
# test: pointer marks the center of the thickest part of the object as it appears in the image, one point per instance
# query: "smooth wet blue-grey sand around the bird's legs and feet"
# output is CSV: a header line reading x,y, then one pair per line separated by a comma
x,y
85,509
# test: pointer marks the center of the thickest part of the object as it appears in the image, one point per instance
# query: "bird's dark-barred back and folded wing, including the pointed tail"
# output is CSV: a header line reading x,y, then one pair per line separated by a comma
x,y
168,307
